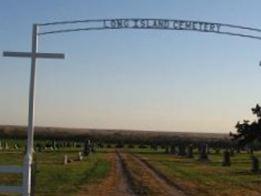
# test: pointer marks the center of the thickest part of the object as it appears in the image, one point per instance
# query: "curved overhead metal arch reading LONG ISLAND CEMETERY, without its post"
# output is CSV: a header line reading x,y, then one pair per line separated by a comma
x,y
153,24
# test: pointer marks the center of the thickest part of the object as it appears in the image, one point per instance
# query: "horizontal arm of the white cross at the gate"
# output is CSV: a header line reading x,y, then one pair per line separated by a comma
x,y
38,55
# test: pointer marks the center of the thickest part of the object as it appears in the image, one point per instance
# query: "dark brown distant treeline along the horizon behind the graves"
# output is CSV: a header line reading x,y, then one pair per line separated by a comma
x,y
114,136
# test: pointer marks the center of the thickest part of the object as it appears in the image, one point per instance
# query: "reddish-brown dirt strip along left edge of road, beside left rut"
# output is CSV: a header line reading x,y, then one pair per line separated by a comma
x,y
114,184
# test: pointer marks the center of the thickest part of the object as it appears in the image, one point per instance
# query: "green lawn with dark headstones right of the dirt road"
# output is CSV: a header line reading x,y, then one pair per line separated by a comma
x,y
206,178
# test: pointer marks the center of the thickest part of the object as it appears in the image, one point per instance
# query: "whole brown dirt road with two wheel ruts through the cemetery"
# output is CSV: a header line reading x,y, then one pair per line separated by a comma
x,y
130,175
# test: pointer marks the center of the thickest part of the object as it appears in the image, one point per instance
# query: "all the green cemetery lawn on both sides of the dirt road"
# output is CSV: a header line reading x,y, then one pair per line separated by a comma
x,y
189,175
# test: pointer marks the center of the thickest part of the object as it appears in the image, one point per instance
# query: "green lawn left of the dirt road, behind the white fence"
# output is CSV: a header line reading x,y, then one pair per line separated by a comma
x,y
55,178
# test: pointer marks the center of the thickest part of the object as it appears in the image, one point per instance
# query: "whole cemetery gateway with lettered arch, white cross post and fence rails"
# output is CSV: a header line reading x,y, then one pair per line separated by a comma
x,y
39,29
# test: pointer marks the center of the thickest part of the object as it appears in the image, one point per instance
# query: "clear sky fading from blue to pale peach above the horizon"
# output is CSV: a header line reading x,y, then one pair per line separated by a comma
x,y
132,79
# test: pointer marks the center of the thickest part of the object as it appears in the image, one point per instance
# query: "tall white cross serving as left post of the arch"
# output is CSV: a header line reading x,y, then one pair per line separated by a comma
x,y
30,132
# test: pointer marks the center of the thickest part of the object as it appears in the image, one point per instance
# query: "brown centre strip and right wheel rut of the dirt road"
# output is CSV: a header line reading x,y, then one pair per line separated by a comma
x,y
145,180
